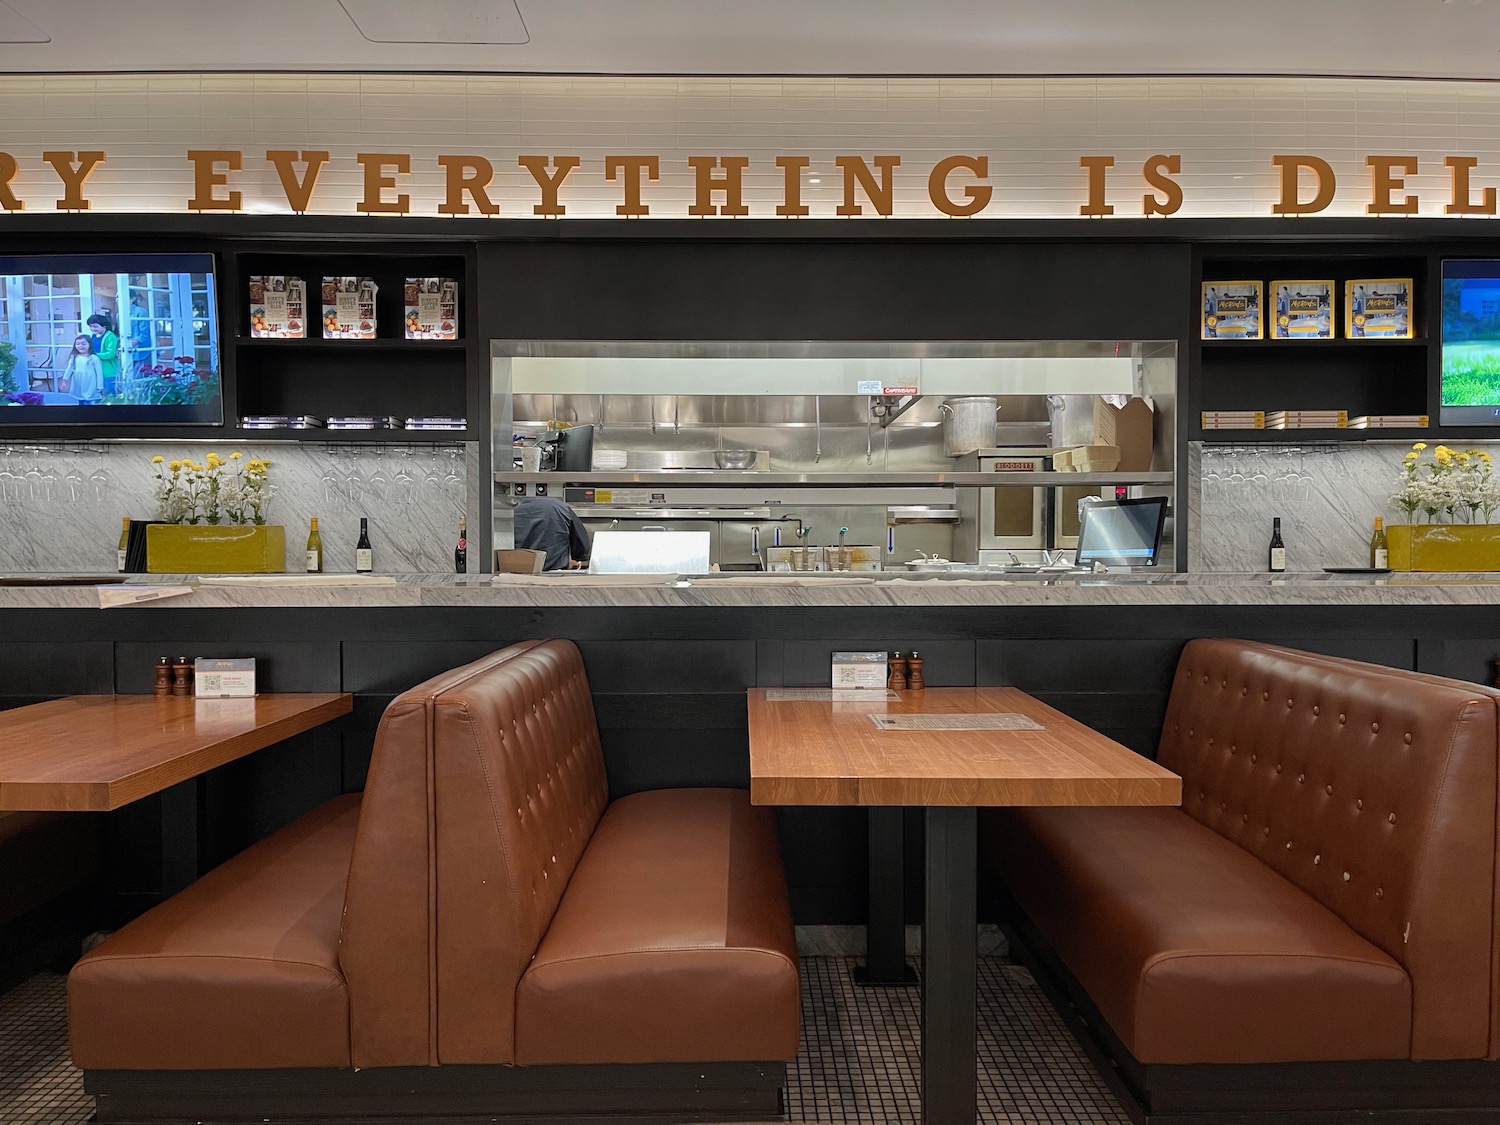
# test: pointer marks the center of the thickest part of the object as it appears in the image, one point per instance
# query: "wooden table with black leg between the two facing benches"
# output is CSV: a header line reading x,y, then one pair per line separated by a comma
x,y
832,754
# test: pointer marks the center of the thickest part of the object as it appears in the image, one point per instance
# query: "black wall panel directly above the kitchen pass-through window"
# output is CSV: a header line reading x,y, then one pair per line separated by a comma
x,y
782,289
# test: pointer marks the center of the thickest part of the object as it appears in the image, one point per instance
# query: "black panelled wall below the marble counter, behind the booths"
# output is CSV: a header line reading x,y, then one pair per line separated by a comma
x,y
670,685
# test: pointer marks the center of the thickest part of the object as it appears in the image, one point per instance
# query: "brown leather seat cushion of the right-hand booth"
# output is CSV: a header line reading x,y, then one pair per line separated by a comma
x,y
1192,949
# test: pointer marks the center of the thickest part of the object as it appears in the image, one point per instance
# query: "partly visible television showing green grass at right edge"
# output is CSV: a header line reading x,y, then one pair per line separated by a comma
x,y
1471,344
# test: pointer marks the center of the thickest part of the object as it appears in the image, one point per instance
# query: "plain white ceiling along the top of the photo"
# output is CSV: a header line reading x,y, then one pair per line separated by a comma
x,y
1379,38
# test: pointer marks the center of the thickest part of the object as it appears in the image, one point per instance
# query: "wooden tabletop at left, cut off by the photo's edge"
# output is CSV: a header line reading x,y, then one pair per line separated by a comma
x,y
95,754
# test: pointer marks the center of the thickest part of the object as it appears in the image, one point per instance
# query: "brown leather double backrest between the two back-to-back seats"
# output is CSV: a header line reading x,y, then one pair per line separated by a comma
x,y
485,787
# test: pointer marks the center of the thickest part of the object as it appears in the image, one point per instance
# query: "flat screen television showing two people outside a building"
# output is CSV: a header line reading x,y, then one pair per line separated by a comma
x,y
110,338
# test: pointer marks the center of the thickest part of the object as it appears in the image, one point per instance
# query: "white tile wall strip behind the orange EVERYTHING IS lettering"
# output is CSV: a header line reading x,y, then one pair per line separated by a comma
x,y
1033,130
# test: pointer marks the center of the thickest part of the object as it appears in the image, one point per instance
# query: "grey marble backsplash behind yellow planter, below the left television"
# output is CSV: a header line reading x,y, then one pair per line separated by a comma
x,y
61,505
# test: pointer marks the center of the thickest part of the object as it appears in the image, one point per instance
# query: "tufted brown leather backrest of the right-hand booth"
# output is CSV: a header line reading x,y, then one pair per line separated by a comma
x,y
1375,791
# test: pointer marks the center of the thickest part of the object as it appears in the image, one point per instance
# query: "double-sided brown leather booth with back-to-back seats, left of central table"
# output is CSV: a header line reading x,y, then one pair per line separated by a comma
x,y
482,932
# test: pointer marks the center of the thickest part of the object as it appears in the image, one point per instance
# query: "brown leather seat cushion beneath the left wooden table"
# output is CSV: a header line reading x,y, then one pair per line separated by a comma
x,y
241,970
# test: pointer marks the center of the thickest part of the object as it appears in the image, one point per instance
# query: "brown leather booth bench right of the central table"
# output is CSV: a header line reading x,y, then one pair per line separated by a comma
x,y
1325,899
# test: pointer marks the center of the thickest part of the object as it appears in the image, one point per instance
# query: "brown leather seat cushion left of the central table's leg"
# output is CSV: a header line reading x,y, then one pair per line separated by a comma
x,y
701,974
